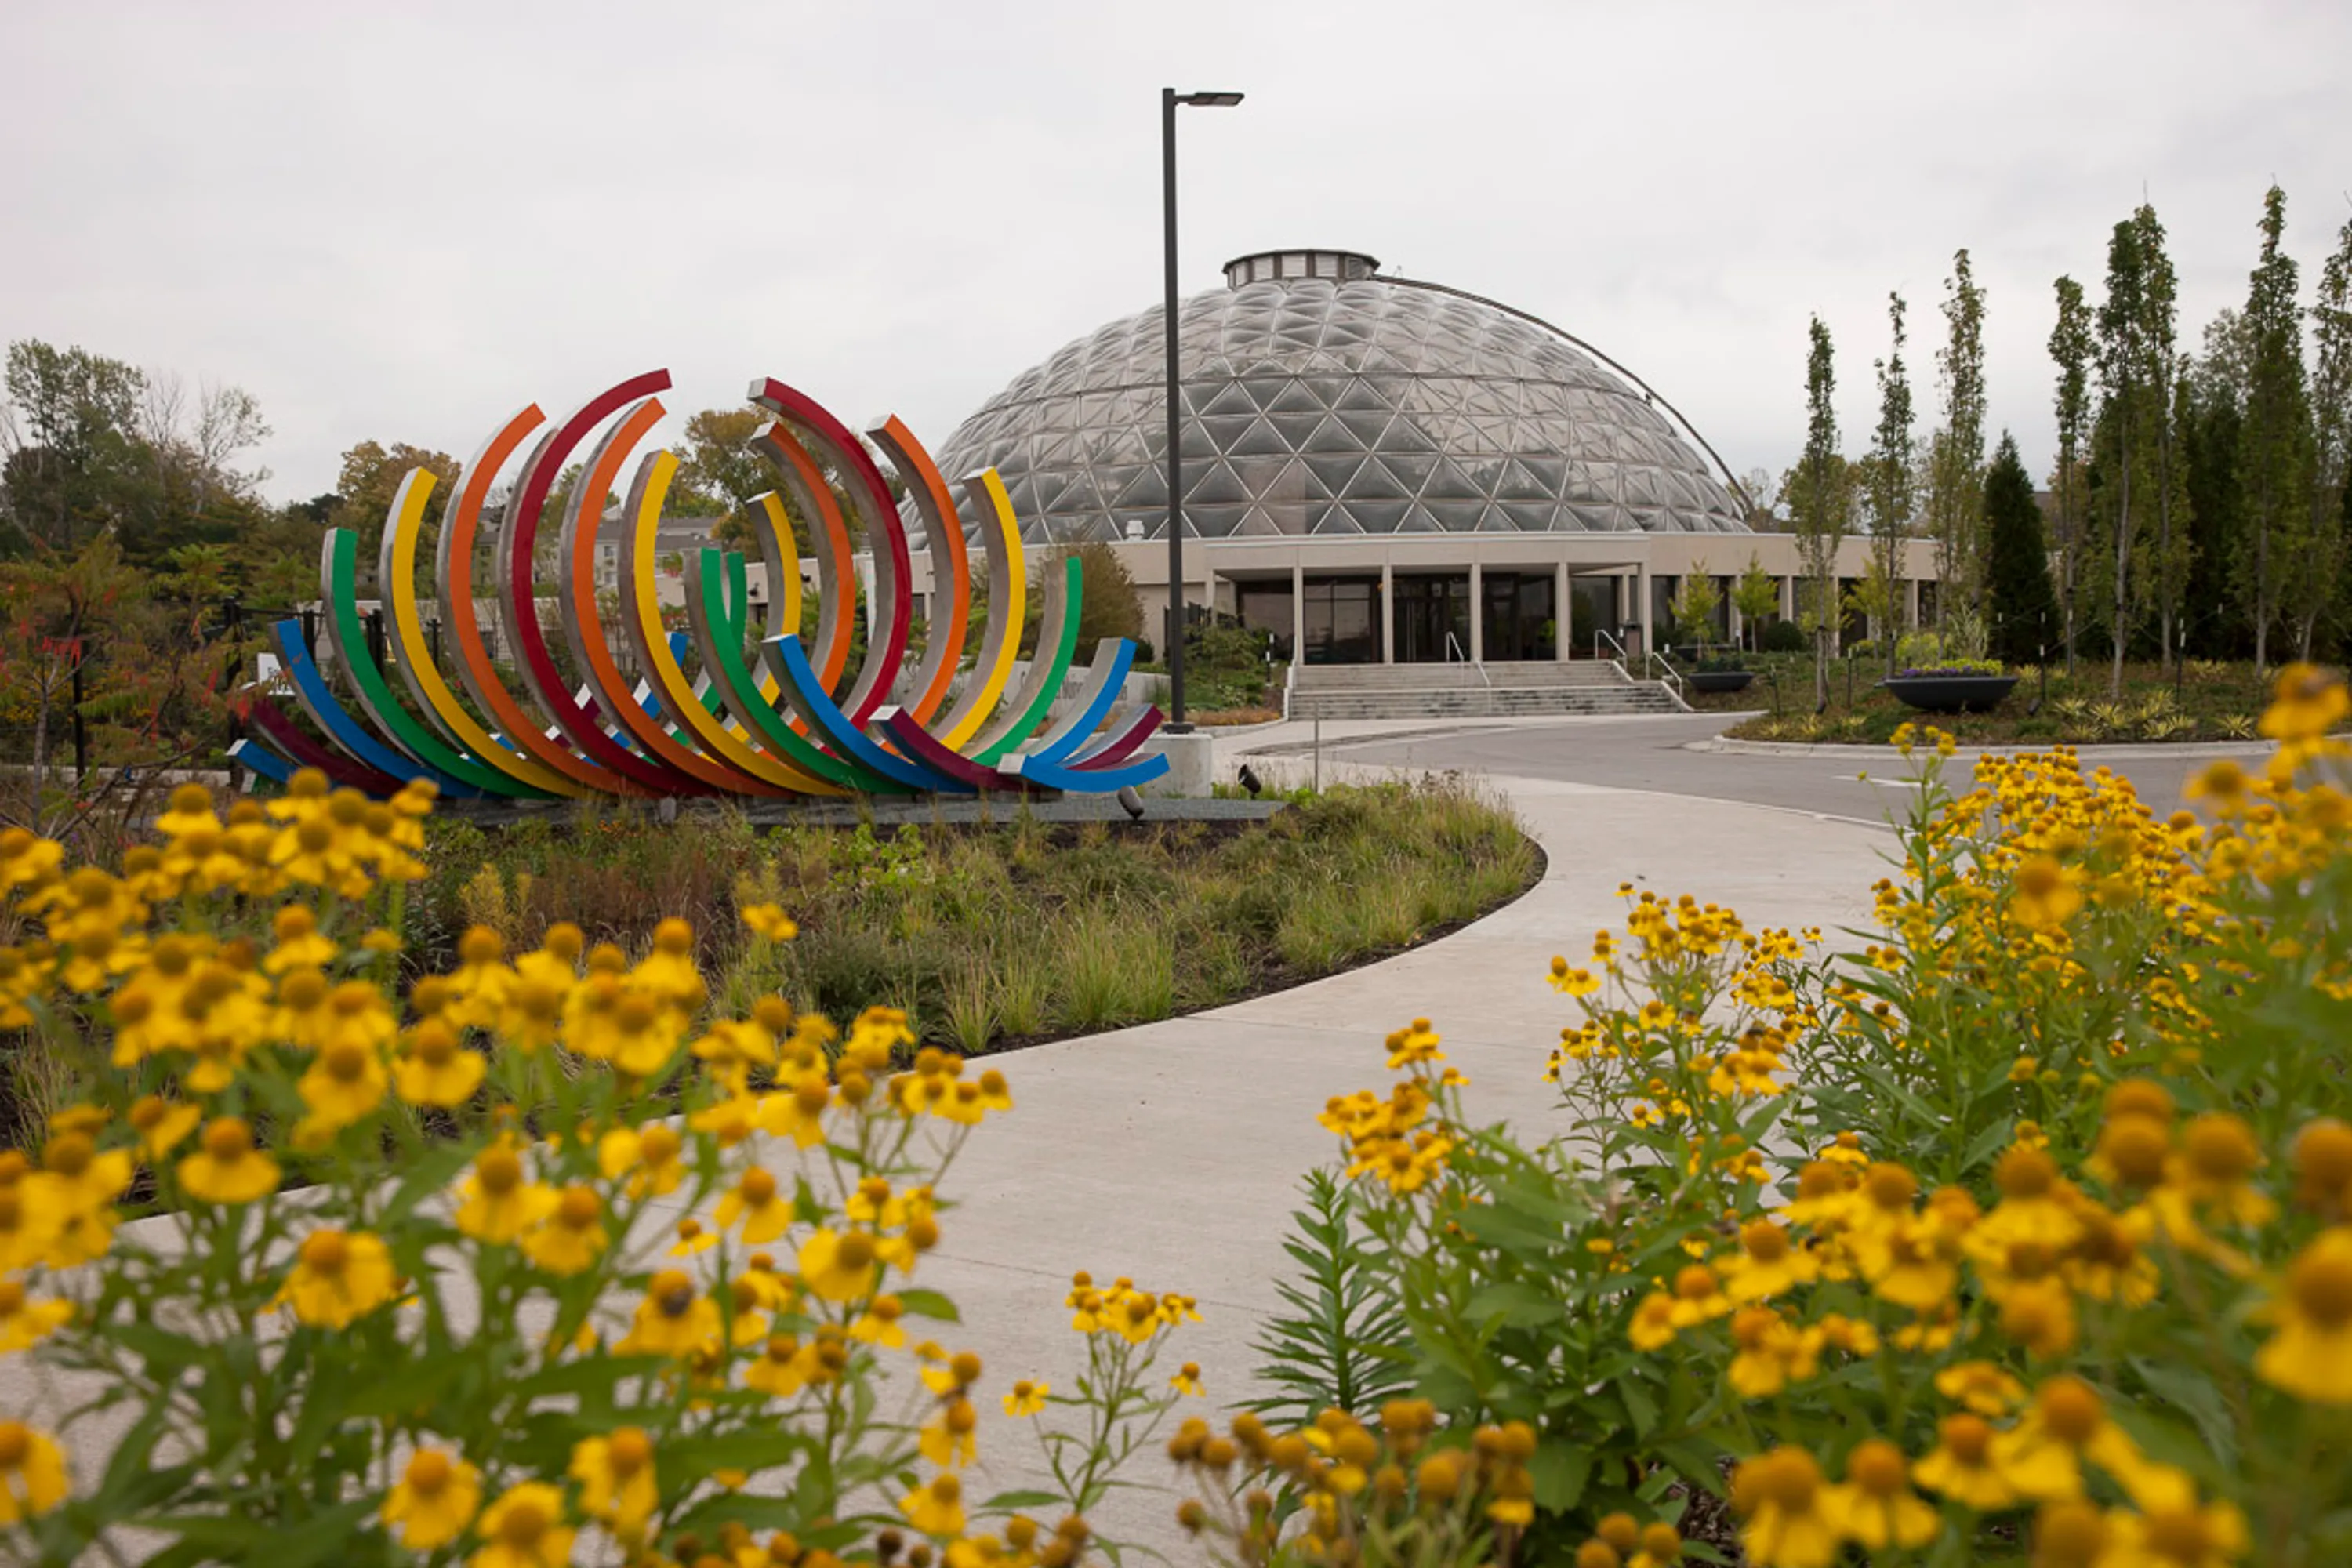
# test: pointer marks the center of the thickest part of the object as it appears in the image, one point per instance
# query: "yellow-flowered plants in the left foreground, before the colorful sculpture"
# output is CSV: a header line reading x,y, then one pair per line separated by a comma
x,y
540,1254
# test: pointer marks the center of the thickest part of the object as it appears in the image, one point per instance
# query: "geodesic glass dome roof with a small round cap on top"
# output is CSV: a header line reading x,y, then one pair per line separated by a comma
x,y
1328,401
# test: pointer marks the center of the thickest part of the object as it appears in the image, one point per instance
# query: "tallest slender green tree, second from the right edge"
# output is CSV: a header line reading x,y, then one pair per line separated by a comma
x,y
2276,427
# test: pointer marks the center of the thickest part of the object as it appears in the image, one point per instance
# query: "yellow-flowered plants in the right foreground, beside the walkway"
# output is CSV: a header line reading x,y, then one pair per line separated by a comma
x,y
2019,1231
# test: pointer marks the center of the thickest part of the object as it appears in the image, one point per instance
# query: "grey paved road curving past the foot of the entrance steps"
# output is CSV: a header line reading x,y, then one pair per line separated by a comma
x,y
1655,753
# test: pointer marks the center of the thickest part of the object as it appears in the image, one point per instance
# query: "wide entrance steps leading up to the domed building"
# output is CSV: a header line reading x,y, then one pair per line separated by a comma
x,y
1474,692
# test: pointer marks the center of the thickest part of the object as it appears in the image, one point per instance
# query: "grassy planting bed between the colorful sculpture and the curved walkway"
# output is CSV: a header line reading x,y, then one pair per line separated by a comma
x,y
1001,934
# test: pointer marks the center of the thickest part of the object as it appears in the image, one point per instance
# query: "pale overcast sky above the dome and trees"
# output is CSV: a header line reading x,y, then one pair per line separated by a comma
x,y
403,222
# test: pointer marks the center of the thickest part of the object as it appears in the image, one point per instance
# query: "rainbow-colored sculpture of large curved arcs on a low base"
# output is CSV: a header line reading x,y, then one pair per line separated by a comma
x,y
761,713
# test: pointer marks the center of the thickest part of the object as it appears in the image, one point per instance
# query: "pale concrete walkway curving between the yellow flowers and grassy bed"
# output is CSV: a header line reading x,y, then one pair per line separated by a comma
x,y
1172,1153
